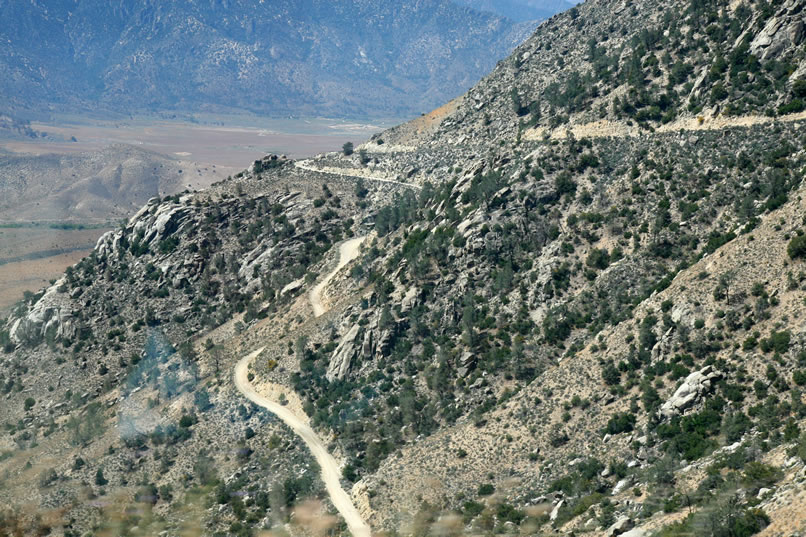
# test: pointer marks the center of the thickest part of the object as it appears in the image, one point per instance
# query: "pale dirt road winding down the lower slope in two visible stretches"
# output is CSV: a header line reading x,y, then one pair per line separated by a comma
x,y
330,468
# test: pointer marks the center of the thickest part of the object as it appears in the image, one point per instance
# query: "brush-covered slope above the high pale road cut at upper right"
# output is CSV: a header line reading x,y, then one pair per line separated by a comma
x,y
609,68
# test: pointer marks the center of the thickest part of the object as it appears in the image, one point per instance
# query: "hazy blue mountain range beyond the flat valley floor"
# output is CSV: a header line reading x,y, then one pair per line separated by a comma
x,y
345,58
